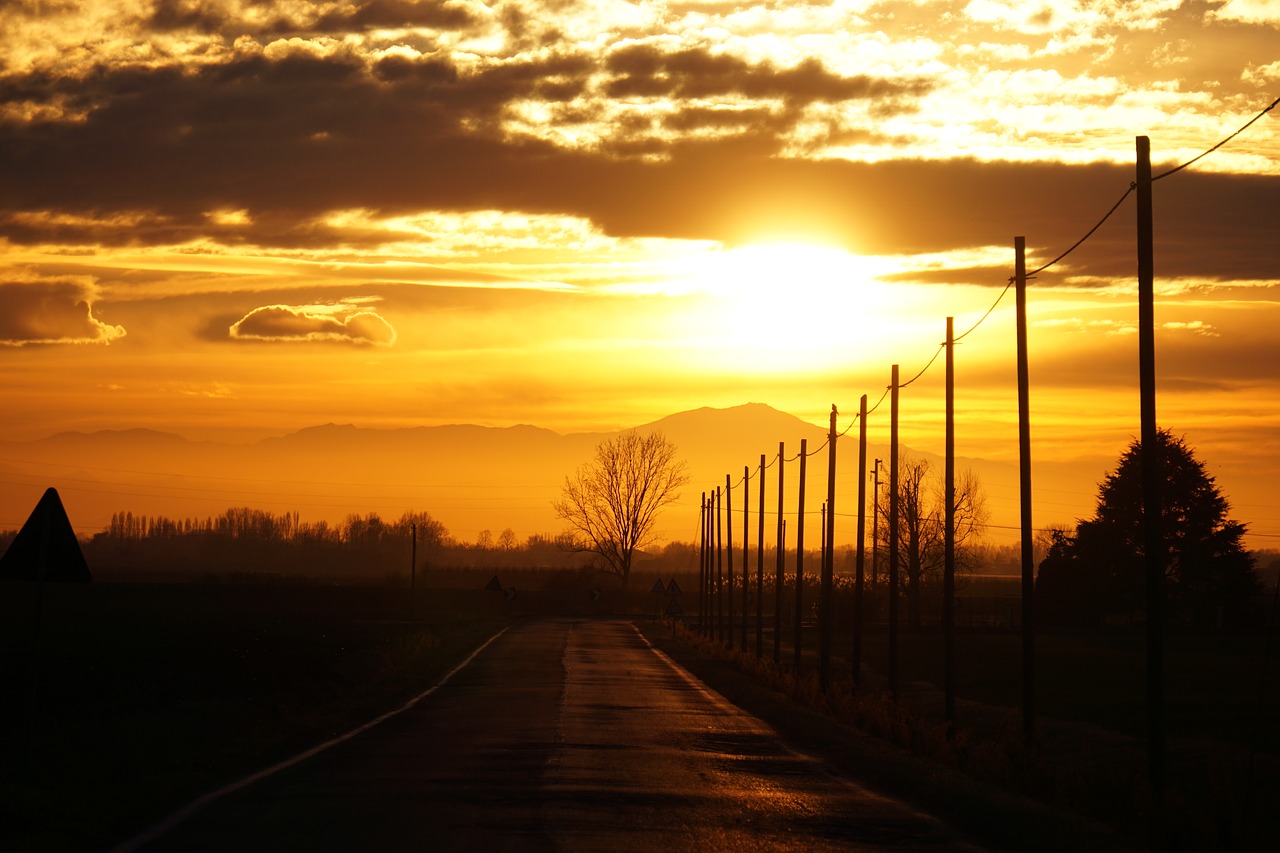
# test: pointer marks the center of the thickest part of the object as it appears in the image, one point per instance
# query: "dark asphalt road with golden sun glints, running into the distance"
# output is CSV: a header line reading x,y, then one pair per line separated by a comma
x,y
569,736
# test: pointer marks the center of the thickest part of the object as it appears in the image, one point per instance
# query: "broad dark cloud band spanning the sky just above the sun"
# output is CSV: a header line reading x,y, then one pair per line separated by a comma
x,y
294,138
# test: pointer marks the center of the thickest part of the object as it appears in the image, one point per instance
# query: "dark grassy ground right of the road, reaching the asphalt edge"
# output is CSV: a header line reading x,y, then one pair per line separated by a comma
x,y
1087,763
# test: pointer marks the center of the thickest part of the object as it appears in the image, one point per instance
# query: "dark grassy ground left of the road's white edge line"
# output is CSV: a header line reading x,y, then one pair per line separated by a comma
x,y
153,695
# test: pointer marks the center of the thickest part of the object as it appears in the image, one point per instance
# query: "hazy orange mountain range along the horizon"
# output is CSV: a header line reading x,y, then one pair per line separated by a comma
x,y
469,477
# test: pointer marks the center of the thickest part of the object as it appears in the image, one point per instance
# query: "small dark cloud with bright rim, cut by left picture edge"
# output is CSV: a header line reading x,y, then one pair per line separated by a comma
x,y
51,313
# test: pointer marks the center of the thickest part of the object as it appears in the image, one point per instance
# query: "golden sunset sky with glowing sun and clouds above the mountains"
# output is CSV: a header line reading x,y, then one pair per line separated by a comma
x,y
232,220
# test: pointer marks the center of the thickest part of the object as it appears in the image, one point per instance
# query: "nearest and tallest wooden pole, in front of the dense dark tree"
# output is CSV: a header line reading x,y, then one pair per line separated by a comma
x,y
1154,548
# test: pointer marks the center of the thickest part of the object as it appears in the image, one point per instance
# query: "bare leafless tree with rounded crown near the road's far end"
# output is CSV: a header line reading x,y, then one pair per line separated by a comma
x,y
612,503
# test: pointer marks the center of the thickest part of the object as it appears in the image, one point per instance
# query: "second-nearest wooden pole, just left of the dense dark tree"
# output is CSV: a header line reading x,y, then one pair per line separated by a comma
x,y
1025,487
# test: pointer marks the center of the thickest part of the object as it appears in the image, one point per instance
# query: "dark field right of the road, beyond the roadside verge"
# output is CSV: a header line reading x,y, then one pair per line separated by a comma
x,y
1090,755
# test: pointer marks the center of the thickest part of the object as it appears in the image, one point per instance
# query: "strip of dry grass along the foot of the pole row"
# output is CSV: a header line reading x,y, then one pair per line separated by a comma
x,y
1089,772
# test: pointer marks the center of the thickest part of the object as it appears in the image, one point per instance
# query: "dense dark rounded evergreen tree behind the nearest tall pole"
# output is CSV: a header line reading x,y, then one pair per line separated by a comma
x,y
1100,571
